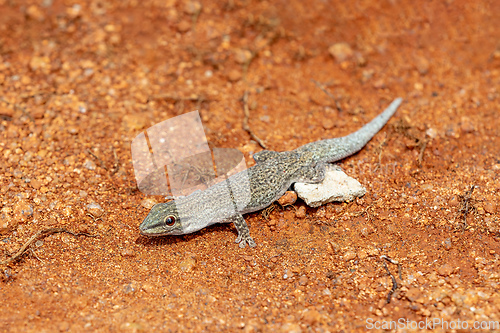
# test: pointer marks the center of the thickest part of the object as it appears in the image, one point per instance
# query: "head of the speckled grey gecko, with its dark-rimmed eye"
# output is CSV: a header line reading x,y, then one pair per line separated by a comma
x,y
163,219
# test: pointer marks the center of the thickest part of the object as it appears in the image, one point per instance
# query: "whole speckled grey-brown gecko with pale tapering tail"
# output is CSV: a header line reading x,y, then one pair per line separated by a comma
x,y
259,186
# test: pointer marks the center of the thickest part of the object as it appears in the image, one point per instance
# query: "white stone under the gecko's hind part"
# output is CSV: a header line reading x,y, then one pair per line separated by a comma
x,y
337,186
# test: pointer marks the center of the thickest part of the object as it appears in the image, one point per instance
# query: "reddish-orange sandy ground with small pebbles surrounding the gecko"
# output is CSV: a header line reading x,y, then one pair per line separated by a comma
x,y
79,80
